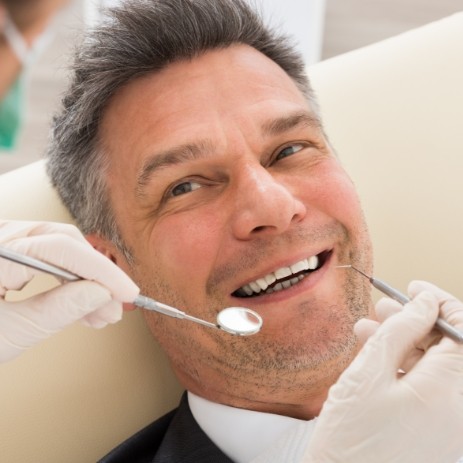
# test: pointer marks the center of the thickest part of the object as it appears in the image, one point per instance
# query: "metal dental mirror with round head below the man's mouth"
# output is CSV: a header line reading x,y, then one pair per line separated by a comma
x,y
239,321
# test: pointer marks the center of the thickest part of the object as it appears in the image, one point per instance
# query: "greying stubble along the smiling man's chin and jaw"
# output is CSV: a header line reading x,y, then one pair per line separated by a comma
x,y
300,361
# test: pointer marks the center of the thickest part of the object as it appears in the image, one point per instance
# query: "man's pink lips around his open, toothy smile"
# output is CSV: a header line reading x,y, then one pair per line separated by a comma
x,y
306,284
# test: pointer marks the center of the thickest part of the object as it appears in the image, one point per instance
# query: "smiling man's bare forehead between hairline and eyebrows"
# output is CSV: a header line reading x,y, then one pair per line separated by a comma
x,y
235,86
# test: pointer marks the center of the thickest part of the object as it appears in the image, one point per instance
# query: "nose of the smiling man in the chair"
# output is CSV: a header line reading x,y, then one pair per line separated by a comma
x,y
263,205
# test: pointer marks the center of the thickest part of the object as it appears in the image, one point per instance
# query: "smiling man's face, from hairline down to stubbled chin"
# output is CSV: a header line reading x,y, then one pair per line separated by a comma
x,y
222,181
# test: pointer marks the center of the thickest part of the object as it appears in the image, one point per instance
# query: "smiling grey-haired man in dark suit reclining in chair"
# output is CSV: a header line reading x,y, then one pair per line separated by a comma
x,y
191,152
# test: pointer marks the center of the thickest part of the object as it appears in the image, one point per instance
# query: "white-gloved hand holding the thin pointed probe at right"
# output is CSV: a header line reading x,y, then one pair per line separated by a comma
x,y
375,414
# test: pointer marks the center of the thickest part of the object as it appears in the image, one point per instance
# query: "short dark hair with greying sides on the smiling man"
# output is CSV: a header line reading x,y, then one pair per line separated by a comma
x,y
137,38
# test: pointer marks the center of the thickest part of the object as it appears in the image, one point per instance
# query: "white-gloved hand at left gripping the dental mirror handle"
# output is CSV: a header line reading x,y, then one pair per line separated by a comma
x,y
96,301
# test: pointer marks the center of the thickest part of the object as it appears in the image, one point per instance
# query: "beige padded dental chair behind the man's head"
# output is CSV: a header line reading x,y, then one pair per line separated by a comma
x,y
393,111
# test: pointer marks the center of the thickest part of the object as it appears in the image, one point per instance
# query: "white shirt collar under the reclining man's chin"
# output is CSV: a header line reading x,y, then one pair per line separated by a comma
x,y
239,433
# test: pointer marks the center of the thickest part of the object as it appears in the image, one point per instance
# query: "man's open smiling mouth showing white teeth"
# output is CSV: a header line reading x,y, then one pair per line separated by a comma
x,y
283,278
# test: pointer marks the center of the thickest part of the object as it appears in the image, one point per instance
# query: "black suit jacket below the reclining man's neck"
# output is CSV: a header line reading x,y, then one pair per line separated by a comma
x,y
174,438
